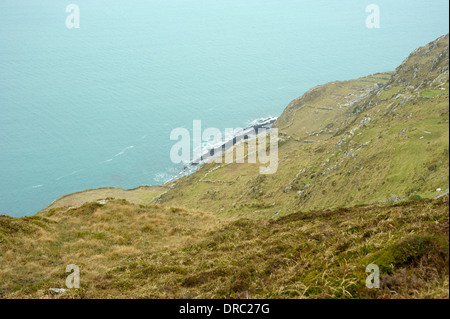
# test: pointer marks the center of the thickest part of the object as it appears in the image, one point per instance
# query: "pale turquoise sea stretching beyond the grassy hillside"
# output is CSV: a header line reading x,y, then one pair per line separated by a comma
x,y
93,107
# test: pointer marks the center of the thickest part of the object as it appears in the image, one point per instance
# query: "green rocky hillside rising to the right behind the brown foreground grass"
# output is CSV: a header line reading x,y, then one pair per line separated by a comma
x,y
378,139
